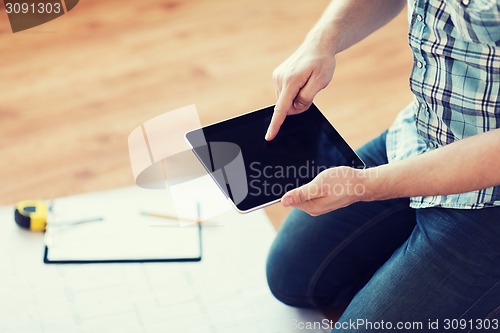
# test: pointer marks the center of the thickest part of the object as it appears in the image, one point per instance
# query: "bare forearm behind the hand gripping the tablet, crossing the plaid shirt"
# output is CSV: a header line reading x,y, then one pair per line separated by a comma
x,y
466,165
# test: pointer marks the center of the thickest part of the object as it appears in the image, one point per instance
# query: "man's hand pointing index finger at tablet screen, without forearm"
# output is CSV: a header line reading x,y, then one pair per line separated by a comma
x,y
298,80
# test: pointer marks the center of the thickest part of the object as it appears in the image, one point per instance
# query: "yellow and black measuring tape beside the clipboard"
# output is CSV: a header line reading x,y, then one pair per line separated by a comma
x,y
32,215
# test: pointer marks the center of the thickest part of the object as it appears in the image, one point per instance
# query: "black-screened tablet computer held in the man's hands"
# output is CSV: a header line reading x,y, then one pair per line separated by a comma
x,y
252,172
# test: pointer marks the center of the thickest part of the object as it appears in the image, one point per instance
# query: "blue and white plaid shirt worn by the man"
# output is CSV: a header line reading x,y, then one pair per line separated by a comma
x,y
456,84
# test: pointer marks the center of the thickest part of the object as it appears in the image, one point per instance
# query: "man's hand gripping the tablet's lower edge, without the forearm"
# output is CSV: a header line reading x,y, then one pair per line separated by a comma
x,y
332,189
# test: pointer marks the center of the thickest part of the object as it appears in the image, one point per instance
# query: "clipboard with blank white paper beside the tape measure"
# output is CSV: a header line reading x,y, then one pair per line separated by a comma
x,y
108,227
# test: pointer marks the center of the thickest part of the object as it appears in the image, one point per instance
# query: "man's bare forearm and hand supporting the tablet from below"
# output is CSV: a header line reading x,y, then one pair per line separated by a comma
x,y
466,165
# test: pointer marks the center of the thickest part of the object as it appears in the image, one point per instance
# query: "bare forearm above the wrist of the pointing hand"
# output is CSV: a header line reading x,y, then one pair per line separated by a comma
x,y
346,22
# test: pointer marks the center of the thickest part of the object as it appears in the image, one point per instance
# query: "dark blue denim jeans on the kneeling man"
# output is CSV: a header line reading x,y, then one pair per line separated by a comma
x,y
392,263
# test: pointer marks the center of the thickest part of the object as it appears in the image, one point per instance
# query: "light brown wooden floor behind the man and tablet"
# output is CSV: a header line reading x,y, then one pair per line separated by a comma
x,y
72,90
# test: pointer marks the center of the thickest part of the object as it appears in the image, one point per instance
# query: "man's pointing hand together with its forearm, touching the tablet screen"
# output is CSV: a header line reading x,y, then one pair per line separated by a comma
x,y
311,67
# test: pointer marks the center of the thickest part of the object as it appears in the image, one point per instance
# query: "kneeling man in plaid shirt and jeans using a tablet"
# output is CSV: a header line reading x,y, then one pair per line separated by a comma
x,y
421,242
